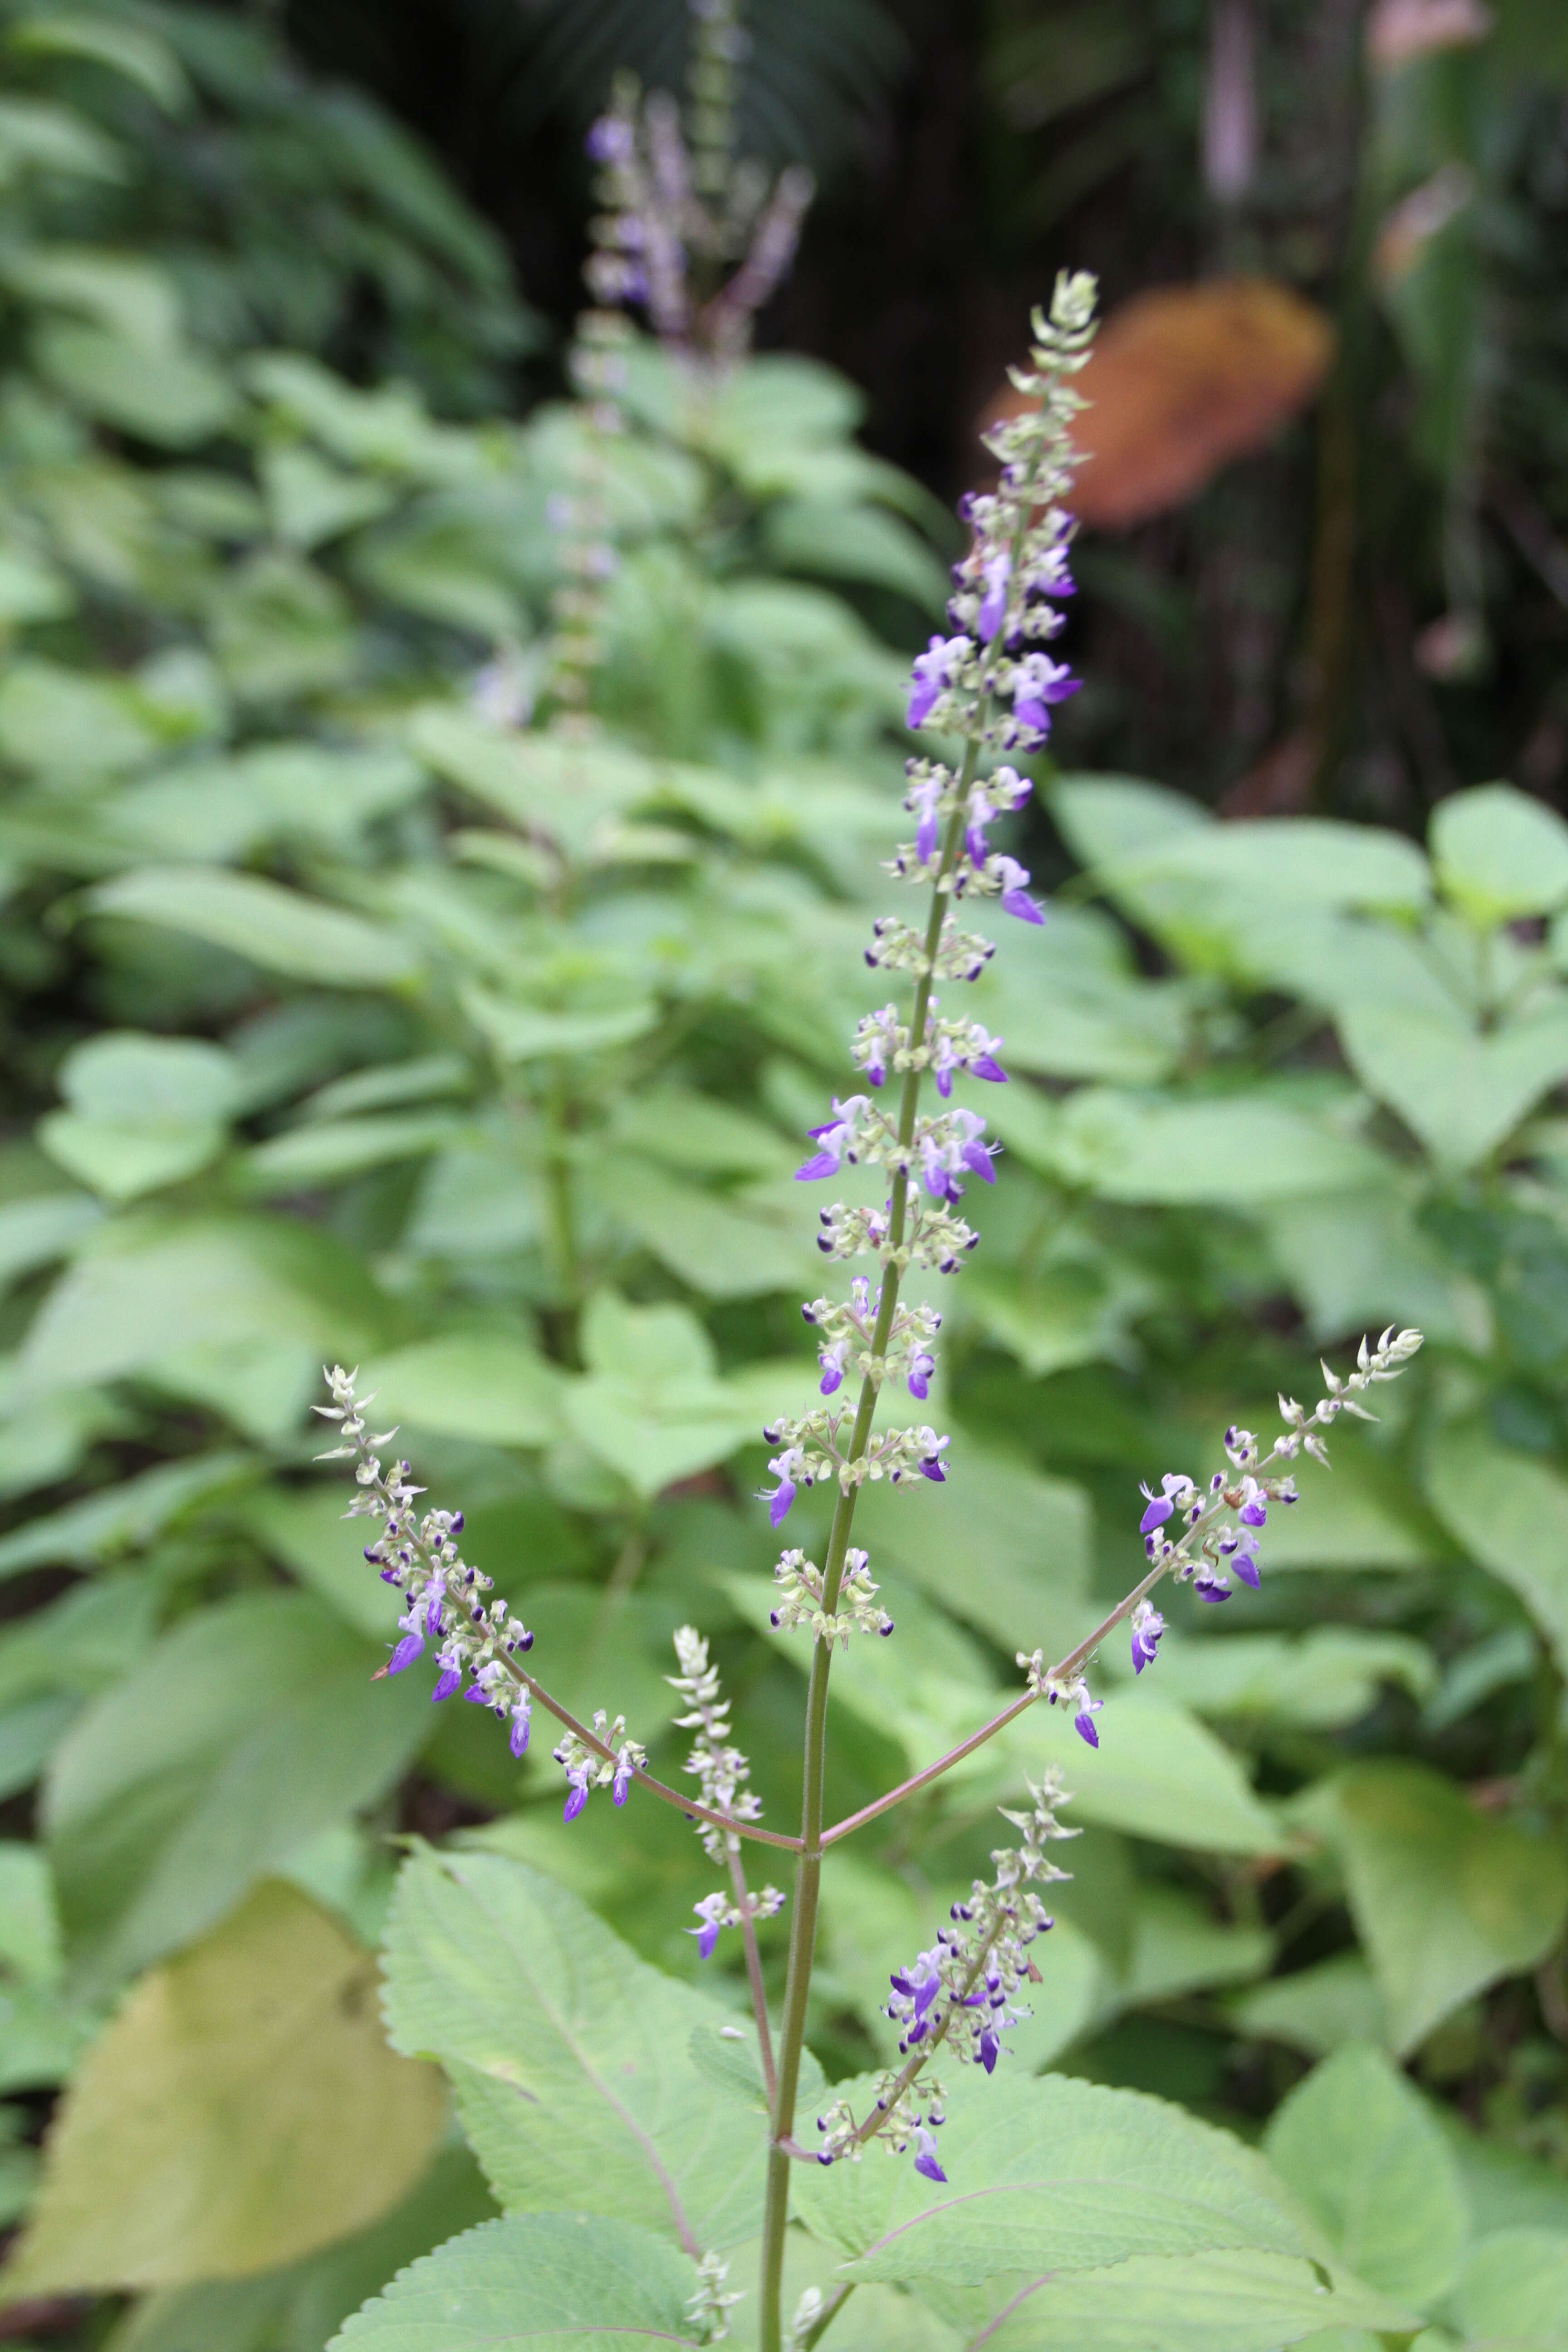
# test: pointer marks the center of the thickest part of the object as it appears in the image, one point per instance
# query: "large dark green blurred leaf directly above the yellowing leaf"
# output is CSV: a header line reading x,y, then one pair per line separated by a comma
x,y
246,1732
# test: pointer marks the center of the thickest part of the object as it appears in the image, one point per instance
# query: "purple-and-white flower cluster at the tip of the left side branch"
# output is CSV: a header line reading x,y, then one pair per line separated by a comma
x,y
417,1553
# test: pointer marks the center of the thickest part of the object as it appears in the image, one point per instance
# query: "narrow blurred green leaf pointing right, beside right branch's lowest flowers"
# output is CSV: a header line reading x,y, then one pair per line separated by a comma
x,y
1322,1681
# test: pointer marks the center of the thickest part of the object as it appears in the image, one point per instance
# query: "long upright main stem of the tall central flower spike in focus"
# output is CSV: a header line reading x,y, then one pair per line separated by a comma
x,y
810,1869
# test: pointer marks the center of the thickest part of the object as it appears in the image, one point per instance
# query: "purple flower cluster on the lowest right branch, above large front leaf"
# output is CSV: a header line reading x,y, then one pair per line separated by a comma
x,y
965,1991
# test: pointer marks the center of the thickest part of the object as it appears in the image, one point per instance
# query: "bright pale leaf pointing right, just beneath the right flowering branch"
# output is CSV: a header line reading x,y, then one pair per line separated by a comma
x,y
1158,1772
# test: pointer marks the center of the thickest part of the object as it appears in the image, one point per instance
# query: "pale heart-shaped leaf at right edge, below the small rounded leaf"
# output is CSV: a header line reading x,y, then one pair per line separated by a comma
x,y
1463,1095
